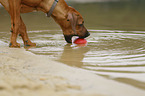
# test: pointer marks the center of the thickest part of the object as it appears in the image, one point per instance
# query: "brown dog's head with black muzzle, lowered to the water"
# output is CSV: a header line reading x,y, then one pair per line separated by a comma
x,y
73,25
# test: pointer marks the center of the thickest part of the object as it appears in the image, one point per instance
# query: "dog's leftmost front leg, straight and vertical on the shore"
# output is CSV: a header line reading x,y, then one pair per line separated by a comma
x,y
14,11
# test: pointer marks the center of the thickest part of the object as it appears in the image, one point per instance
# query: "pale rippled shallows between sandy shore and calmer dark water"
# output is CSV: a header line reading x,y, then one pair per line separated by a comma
x,y
118,55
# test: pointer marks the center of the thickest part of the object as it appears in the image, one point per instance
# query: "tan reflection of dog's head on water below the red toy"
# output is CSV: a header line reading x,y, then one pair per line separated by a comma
x,y
73,56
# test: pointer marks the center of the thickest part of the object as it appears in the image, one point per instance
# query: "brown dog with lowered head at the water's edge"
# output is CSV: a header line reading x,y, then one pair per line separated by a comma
x,y
67,17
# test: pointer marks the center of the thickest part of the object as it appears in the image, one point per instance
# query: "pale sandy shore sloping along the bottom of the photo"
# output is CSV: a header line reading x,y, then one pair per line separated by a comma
x,y
25,74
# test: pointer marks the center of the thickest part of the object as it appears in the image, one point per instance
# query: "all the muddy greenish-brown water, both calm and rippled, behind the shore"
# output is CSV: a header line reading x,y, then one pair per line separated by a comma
x,y
114,54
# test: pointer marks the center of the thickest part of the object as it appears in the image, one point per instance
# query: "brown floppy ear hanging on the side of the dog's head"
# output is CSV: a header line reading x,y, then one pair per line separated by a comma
x,y
72,17
